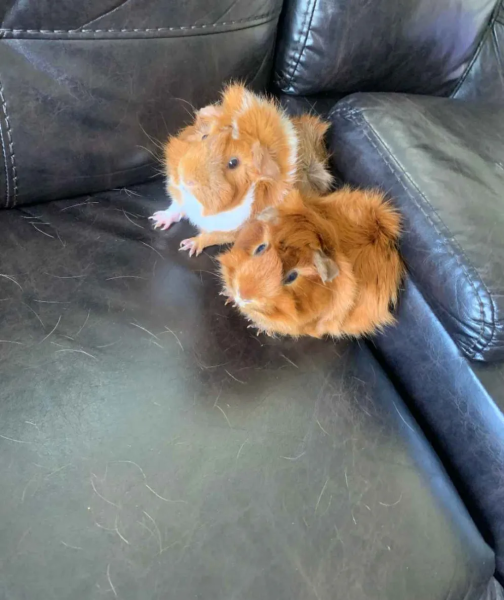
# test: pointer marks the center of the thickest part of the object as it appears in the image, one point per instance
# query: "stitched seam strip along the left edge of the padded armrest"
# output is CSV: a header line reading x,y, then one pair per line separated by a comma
x,y
447,238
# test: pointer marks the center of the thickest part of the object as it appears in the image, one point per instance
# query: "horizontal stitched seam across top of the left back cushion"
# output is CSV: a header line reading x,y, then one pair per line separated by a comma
x,y
76,32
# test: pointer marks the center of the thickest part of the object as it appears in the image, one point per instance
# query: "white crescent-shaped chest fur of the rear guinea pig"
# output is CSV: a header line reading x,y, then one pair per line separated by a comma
x,y
228,220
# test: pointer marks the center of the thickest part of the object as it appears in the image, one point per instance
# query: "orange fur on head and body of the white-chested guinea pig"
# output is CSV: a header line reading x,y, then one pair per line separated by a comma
x,y
261,142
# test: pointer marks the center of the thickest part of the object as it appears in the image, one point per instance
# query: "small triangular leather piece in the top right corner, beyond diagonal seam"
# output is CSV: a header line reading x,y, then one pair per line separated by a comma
x,y
484,79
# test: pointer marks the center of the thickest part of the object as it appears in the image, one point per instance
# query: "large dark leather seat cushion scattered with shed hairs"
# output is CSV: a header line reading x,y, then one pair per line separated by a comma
x,y
152,445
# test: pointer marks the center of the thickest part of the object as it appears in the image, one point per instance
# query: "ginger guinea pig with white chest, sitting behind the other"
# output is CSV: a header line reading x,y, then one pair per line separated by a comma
x,y
237,158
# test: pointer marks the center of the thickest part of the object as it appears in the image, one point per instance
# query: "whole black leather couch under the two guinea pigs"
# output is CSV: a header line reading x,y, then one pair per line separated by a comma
x,y
152,447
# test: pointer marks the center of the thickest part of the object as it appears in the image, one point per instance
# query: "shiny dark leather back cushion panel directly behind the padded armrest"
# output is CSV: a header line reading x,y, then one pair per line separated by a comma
x,y
414,46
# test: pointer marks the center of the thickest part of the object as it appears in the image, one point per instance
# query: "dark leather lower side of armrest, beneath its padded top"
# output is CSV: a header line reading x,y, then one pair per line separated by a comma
x,y
461,410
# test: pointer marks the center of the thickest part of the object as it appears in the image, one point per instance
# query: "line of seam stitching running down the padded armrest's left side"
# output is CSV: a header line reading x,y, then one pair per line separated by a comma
x,y
431,221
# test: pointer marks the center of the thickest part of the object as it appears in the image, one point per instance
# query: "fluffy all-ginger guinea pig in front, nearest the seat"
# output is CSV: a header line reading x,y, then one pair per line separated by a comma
x,y
330,267
